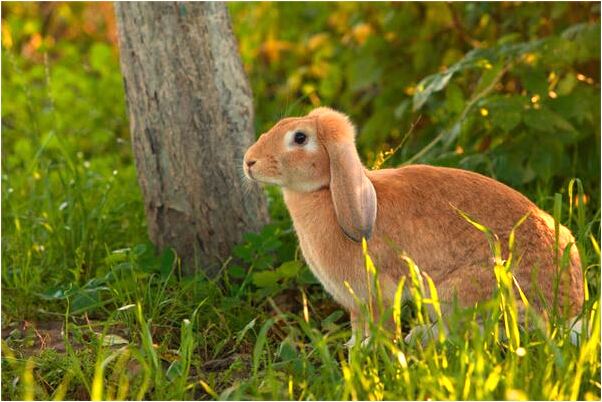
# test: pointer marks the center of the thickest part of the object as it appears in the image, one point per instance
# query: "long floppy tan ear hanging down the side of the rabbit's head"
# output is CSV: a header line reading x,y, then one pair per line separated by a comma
x,y
353,194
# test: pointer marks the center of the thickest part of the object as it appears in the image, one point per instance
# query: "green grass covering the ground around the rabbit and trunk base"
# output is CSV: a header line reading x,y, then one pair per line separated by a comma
x,y
261,330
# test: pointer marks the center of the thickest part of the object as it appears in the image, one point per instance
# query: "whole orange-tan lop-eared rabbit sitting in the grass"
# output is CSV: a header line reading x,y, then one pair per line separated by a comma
x,y
334,202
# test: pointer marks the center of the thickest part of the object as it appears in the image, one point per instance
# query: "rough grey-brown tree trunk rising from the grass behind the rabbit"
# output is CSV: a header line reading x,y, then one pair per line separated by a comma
x,y
191,118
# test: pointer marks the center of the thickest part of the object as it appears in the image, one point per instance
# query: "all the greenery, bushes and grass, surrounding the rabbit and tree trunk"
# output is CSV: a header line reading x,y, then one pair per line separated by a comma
x,y
90,310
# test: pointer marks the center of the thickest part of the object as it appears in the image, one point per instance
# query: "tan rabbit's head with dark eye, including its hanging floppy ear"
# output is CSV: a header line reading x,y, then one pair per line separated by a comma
x,y
315,152
